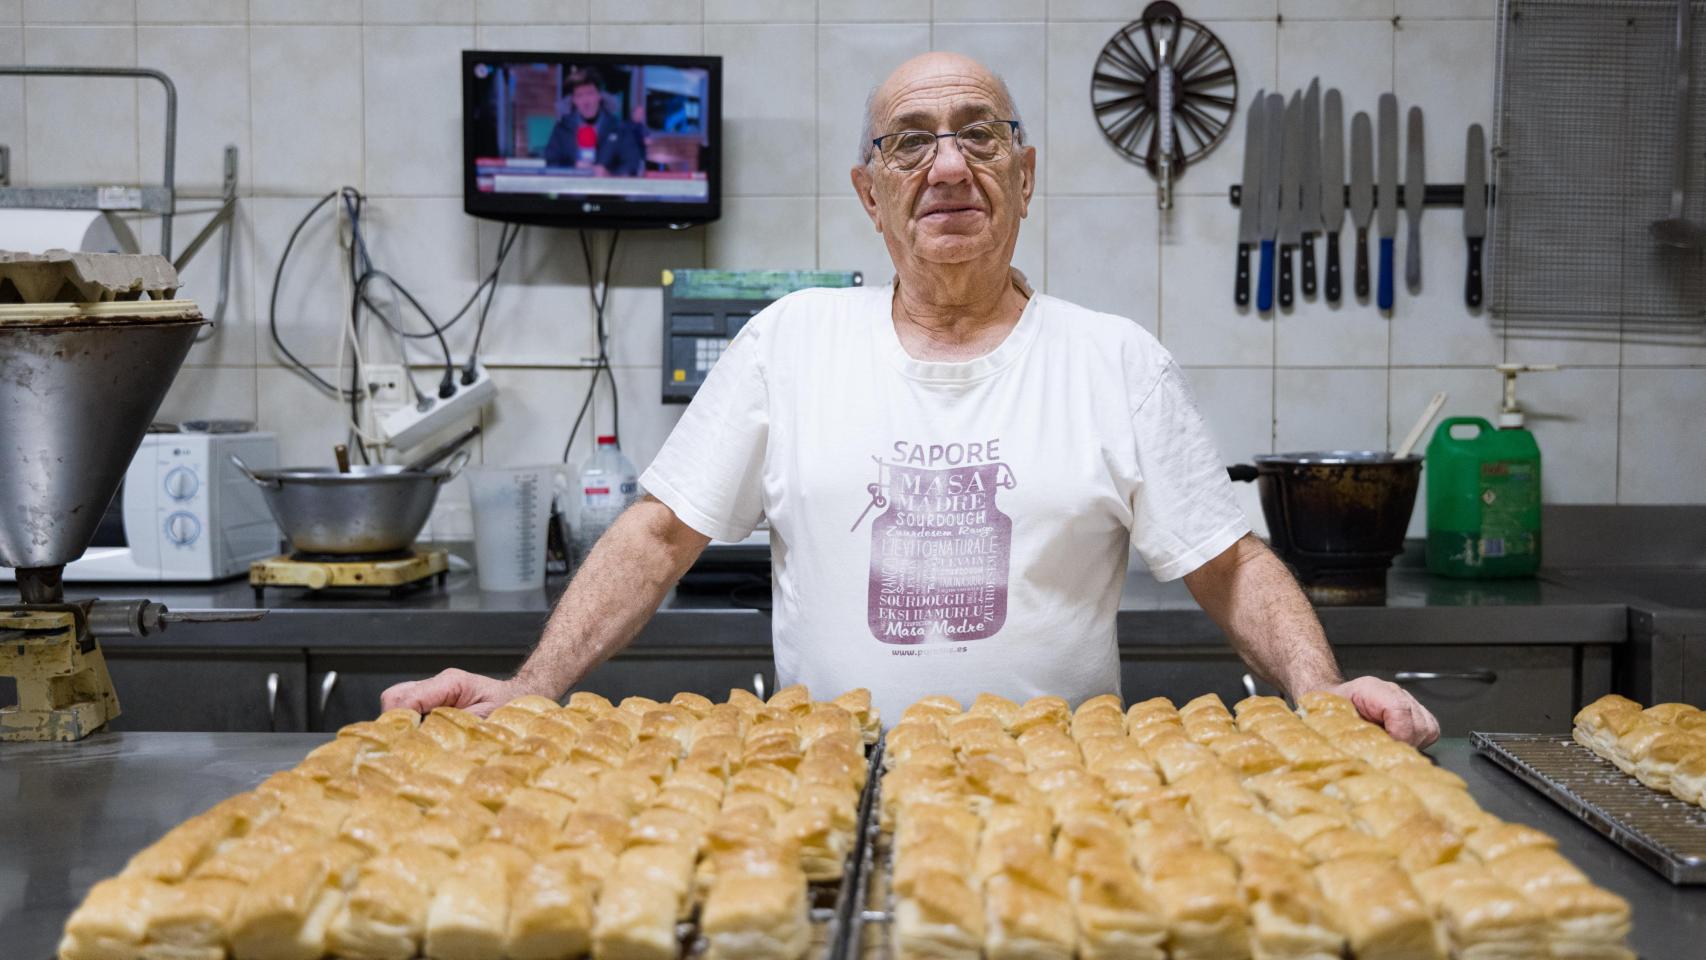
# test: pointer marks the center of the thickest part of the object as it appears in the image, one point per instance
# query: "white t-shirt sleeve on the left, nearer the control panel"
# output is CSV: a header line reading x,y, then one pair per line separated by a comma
x,y
711,470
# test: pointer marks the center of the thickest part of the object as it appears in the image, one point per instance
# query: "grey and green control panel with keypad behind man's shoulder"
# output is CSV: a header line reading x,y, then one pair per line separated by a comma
x,y
704,309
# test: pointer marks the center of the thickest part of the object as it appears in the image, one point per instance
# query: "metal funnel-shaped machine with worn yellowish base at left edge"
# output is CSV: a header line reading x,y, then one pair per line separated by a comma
x,y
90,345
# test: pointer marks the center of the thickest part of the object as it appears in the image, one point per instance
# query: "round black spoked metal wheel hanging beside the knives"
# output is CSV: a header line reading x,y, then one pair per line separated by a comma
x,y
1125,88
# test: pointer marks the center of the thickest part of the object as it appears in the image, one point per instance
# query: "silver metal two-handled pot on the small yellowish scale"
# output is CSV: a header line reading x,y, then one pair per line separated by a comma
x,y
369,511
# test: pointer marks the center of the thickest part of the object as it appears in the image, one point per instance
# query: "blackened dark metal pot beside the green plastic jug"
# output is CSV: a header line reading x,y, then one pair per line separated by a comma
x,y
1337,518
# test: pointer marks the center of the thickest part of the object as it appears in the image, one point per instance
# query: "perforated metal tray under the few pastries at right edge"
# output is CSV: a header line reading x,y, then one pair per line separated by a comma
x,y
1656,828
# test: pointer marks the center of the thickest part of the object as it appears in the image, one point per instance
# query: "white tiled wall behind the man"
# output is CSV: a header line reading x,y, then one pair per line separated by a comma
x,y
330,93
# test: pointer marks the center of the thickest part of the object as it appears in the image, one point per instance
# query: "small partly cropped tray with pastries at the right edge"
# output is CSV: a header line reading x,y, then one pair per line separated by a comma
x,y
1637,775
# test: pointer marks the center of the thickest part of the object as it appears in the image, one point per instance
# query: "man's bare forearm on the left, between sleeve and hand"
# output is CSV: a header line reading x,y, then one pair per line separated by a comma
x,y
613,596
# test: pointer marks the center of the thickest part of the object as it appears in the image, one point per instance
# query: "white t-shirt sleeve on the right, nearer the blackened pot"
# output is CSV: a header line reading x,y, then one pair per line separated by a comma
x,y
1181,506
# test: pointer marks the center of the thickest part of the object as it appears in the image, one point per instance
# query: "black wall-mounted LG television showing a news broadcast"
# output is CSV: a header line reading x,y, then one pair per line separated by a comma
x,y
591,139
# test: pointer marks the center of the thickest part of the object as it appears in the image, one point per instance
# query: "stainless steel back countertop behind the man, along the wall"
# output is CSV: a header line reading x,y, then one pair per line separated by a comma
x,y
1420,610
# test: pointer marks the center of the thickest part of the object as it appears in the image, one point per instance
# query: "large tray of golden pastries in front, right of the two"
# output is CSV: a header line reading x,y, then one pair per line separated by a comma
x,y
1035,831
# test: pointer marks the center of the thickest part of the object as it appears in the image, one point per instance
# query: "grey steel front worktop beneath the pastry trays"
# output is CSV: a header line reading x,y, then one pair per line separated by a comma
x,y
74,814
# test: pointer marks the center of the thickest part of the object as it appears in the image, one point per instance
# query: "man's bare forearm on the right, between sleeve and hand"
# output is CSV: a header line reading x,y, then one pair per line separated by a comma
x,y
1251,594
